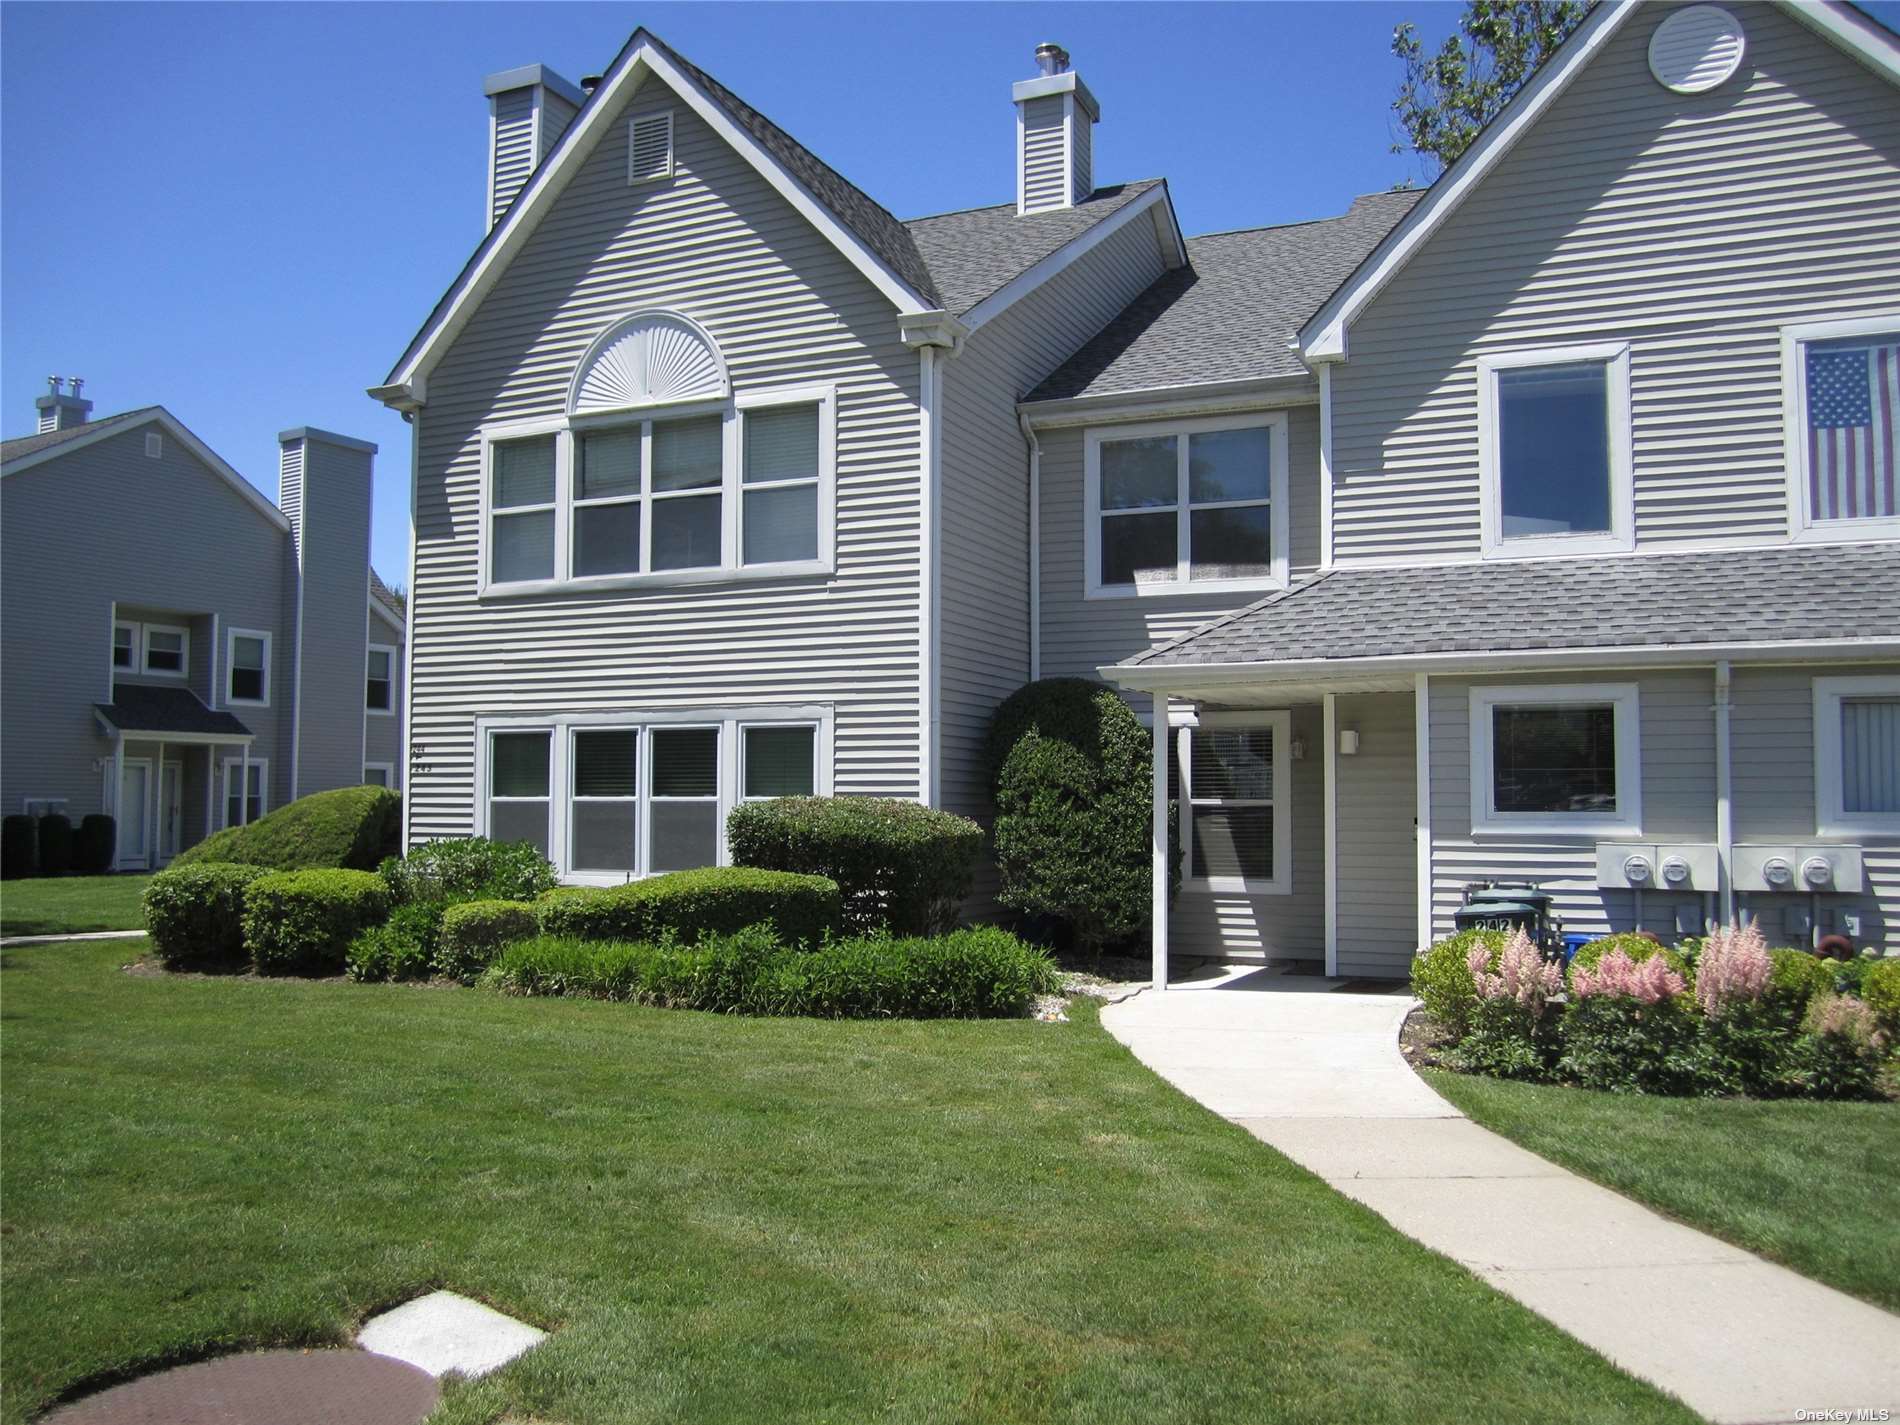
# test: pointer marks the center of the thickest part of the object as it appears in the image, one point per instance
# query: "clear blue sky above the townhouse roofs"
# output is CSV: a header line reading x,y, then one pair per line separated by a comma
x,y
244,212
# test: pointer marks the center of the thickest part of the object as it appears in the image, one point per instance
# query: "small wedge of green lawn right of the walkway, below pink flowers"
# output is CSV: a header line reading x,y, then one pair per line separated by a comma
x,y
1814,1187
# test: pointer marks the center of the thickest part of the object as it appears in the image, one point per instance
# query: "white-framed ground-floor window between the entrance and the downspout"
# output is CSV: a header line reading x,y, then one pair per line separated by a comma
x,y
1557,759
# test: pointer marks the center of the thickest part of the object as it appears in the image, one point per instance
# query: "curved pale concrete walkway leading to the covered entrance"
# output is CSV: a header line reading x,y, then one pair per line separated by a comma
x,y
1318,1074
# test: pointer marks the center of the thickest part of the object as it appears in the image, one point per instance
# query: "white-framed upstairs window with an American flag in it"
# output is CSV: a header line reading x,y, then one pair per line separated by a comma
x,y
1842,385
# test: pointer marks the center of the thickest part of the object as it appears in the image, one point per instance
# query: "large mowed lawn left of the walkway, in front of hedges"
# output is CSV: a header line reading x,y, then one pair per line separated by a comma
x,y
719,1219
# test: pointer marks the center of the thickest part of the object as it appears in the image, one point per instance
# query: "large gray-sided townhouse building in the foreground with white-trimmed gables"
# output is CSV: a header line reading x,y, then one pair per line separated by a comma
x,y
731,485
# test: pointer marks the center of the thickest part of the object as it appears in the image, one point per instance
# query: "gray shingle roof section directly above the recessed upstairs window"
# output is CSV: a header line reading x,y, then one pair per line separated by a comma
x,y
1234,311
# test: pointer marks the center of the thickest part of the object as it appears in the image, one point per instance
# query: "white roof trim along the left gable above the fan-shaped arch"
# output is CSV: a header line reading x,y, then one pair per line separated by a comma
x,y
580,140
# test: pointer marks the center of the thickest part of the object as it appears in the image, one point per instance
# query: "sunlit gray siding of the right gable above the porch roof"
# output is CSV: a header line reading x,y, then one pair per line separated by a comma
x,y
1692,229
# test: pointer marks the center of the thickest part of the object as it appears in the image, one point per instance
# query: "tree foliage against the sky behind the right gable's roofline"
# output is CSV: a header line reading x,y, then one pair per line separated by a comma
x,y
1449,96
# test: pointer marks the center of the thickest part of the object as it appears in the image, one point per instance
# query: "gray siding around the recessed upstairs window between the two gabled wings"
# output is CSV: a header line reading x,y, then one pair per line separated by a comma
x,y
1084,634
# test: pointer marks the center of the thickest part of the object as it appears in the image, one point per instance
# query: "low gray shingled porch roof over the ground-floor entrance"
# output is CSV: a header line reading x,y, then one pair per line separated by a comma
x,y
1521,605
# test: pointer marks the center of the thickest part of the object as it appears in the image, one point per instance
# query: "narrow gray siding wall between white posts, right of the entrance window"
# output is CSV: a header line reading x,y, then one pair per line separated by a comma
x,y
1377,835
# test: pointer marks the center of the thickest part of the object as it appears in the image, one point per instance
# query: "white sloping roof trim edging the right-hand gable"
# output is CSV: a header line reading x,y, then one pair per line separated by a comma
x,y
1323,337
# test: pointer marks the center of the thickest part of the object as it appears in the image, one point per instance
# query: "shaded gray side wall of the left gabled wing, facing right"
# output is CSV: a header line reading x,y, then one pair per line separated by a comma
x,y
985,504
